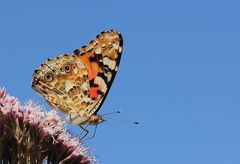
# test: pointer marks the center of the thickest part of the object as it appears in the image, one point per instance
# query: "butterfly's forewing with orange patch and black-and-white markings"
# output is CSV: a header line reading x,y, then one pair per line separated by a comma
x,y
101,58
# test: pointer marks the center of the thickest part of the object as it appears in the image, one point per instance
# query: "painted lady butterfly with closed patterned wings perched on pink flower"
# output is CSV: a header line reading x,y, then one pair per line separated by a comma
x,y
77,83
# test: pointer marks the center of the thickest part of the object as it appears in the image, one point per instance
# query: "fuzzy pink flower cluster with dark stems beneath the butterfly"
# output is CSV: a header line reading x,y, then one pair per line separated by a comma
x,y
29,135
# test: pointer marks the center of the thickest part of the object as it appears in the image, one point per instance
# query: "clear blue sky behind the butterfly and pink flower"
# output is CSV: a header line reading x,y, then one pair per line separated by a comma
x,y
179,73
